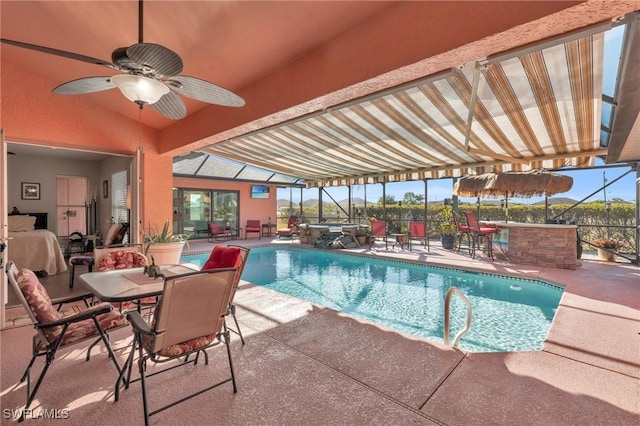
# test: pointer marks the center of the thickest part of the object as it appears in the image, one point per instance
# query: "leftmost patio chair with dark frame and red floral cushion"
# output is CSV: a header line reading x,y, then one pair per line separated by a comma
x,y
54,330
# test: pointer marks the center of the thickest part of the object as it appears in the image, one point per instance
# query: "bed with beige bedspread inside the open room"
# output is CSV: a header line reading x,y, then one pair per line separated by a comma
x,y
35,249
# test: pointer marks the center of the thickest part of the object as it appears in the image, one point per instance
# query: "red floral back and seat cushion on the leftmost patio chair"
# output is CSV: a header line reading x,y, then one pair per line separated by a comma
x,y
40,303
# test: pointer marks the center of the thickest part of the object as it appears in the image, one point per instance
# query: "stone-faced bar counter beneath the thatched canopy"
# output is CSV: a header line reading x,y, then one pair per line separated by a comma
x,y
536,244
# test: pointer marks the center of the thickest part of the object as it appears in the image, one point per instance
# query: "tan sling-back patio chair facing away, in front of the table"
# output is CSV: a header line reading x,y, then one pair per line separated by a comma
x,y
188,320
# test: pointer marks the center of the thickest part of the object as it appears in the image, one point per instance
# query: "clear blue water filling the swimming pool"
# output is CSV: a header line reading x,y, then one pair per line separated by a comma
x,y
509,314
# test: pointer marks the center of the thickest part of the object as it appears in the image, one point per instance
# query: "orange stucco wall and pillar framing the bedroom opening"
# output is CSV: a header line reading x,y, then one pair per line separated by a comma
x,y
75,122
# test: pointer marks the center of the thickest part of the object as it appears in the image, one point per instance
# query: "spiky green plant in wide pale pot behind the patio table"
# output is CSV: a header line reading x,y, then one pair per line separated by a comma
x,y
164,246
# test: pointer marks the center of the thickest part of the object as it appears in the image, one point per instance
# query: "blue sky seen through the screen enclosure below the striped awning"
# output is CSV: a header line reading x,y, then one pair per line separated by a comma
x,y
585,182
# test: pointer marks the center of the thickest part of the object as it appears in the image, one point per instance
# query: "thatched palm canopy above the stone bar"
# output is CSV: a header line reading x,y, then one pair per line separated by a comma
x,y
515,184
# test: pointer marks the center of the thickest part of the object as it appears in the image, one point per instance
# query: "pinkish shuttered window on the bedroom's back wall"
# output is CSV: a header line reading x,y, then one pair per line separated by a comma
x,y
71,200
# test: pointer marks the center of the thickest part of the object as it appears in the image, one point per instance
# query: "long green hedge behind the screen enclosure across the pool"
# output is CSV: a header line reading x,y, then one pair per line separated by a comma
x,y
593,219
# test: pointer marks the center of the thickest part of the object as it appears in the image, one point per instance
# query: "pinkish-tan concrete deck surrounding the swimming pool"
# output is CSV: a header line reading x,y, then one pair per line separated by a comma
x,y
307,365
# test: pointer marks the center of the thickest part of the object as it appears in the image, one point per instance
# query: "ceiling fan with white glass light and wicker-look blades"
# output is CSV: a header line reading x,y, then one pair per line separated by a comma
x,y
150,77
